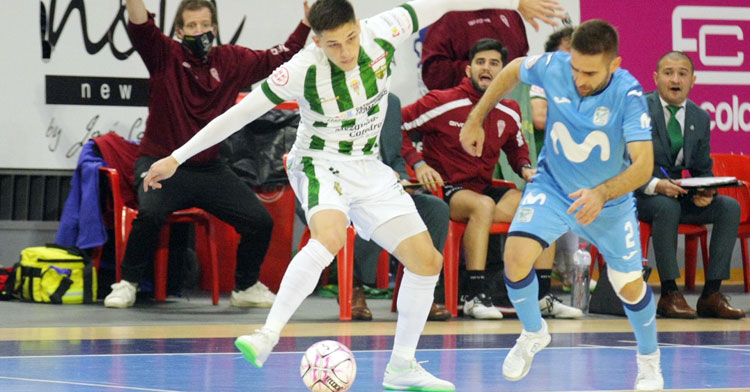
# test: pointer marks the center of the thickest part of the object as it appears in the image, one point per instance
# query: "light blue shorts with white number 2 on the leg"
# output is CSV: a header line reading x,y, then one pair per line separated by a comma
x,y
543,216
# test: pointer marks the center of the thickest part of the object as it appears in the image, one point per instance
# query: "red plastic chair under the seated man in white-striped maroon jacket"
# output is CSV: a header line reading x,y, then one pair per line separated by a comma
x,y
452,255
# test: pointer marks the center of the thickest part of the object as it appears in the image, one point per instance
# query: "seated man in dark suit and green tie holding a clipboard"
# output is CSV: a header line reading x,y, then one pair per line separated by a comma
x,y
682,141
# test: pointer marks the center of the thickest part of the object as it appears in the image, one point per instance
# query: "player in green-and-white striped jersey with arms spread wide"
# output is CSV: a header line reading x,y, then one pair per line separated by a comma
x,y
341,84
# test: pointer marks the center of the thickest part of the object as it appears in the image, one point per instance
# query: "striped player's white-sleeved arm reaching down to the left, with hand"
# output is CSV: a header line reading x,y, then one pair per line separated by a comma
x,y
250,108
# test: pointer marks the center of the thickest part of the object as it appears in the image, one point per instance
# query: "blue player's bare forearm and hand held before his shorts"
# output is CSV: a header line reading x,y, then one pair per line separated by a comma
x,y
591,201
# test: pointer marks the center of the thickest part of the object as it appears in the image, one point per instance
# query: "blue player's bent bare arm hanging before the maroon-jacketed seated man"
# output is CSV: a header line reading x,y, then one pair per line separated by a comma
x,y
472,134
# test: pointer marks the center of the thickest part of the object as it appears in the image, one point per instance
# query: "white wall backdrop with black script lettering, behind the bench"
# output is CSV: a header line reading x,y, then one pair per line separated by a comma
x,y
93,78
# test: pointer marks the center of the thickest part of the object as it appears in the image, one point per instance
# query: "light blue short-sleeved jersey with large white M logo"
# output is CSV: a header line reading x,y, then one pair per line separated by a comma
x,y
586,139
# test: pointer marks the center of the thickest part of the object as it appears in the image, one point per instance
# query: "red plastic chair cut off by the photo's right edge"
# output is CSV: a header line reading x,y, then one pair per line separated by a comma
x,y
738,166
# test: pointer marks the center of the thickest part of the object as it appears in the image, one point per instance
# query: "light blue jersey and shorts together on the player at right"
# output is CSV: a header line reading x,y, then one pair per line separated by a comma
x,y
586,145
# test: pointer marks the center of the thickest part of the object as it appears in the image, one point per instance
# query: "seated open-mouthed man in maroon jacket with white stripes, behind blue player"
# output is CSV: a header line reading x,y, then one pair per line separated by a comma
x,y
439,115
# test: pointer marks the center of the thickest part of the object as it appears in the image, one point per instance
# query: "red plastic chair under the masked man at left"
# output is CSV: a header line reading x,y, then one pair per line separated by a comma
x,y
123,223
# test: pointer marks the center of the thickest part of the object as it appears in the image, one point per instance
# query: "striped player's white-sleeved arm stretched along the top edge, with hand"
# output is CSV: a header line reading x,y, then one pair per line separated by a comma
x,y
429,11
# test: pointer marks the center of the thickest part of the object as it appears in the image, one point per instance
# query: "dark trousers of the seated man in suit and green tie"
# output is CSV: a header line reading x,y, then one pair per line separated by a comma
x,y
666,213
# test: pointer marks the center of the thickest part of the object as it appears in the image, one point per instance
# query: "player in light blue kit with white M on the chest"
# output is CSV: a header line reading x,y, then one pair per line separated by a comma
x,y
597,150
